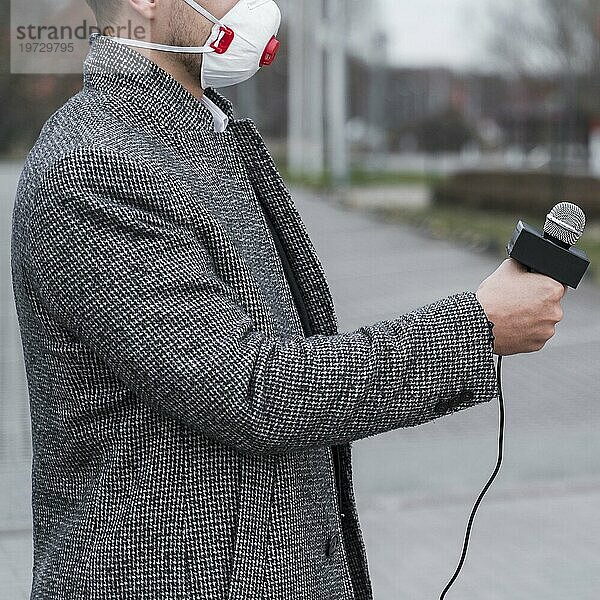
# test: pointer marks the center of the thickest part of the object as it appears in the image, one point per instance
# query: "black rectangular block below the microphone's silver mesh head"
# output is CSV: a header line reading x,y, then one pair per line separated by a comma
x,y
546,255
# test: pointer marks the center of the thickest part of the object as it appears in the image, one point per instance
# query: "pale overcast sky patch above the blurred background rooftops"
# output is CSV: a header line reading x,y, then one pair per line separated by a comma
x,y
437,32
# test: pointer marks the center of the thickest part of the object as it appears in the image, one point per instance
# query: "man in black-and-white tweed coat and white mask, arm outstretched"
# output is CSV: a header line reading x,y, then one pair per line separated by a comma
x,y
192,401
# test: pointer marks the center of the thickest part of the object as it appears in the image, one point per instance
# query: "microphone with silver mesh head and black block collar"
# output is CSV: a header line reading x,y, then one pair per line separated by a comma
x,y
553,252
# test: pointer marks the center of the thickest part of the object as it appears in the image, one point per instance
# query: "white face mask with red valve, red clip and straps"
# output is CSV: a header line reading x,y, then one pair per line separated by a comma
x,y
240,43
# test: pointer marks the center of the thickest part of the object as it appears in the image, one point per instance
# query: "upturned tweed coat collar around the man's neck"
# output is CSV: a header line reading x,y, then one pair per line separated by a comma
x,y
131,82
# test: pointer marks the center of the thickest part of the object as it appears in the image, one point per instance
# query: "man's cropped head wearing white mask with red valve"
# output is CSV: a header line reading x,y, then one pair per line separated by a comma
x,y
175,34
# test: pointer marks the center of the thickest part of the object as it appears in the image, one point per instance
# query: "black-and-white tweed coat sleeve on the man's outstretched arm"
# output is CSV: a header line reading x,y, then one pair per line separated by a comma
x,y
139,290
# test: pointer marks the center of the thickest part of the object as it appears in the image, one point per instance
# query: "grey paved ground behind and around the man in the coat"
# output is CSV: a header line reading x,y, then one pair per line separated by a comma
x,y
538,534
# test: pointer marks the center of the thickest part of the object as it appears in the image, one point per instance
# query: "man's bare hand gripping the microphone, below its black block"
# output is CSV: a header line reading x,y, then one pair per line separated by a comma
x,y
524,307
